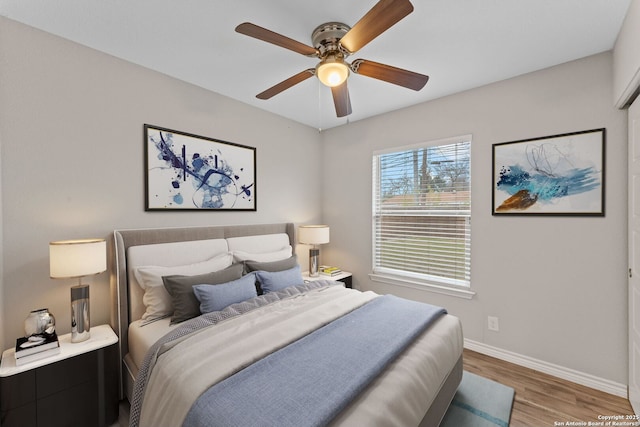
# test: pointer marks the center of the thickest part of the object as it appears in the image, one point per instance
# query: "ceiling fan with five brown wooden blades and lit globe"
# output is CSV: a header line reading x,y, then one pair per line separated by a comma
x,y
333,42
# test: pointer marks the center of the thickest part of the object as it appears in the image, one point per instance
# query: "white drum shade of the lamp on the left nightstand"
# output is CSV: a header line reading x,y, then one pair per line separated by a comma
x,y
77,258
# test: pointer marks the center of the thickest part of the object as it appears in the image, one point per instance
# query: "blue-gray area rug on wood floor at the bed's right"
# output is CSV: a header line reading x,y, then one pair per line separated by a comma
x,y
479,402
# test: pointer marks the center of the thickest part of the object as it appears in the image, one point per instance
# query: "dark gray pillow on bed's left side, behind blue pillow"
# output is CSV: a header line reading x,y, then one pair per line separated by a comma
x,y
185,304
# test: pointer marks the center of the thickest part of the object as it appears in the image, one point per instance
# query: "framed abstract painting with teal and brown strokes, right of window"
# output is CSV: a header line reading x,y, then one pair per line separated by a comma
x,y
560,174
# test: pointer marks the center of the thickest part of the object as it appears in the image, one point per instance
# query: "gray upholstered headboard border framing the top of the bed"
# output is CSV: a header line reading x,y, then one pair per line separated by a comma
x,y
123,239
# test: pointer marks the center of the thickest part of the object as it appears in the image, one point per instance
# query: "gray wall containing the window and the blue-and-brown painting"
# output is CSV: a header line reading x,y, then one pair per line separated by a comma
x,y
557,285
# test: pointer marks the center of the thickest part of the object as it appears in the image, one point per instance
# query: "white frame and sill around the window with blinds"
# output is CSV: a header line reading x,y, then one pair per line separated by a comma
x,y
442,285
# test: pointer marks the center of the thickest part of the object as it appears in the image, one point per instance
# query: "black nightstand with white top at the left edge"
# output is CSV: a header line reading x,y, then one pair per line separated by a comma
x,y
77,387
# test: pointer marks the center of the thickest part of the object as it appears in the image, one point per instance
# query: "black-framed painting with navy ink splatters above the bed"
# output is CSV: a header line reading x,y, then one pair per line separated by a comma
x,y
192,172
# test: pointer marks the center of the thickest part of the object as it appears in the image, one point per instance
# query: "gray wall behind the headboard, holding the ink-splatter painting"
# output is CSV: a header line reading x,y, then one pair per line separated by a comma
x,y
71,129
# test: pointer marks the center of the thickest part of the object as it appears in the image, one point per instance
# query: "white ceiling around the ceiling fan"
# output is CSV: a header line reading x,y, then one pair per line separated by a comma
x,y
460,44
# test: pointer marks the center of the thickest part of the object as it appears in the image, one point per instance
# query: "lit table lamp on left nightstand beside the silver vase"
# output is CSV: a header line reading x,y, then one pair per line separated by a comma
x,y
78,258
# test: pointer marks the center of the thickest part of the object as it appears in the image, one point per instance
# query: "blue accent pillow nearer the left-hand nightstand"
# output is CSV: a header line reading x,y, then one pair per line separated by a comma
x,y
217,297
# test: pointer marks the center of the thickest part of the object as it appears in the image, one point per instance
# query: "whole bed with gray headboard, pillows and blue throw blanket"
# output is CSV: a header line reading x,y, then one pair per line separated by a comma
x,y
291,326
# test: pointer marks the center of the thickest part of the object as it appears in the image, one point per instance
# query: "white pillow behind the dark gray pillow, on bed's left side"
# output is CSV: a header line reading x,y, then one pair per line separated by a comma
x,y
156,299
